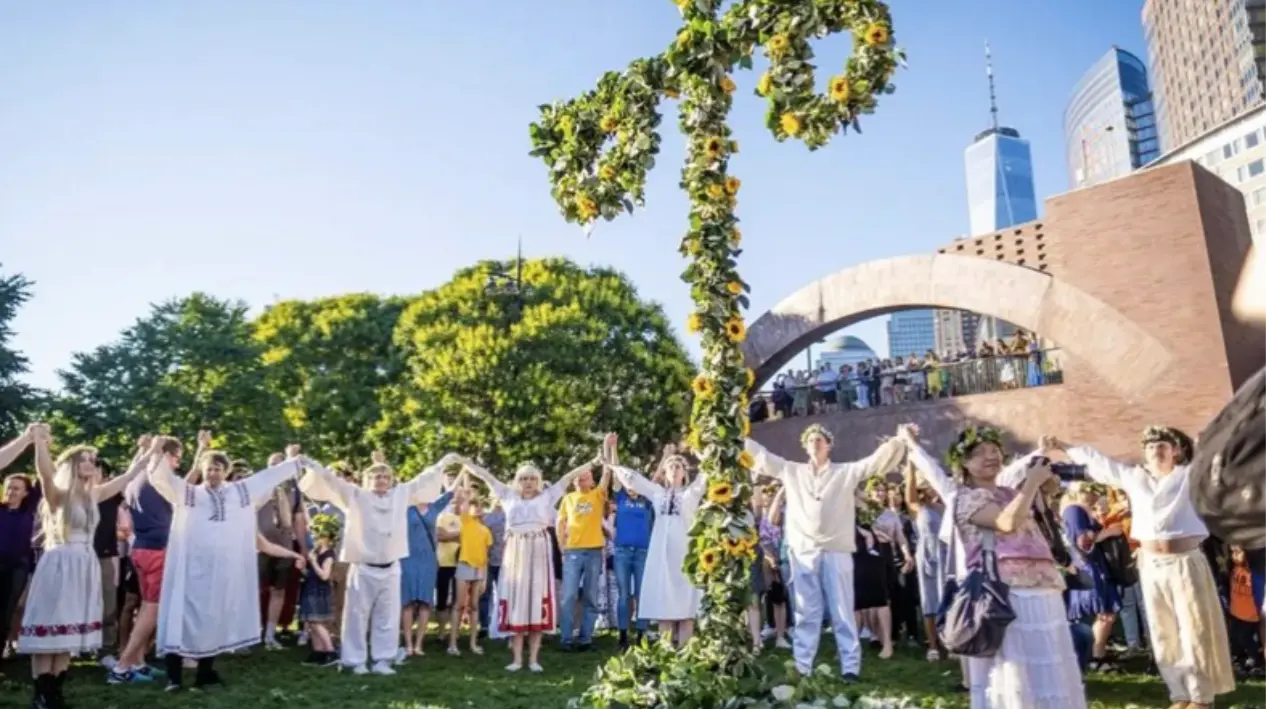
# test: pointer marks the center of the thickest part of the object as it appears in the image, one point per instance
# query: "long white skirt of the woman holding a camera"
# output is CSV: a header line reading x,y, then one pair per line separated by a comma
x,y
1037,667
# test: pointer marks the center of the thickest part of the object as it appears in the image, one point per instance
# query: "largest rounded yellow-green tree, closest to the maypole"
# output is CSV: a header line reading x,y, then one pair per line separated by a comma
x,y
535,374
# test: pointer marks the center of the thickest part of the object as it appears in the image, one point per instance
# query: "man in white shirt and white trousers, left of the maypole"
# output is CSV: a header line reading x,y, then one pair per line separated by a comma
x,y
375,540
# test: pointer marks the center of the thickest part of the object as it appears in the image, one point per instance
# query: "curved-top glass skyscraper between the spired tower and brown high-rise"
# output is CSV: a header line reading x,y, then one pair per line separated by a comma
x,y
1110,127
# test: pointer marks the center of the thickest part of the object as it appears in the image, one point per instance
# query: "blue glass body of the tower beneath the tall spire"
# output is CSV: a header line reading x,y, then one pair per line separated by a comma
x,y
1000,182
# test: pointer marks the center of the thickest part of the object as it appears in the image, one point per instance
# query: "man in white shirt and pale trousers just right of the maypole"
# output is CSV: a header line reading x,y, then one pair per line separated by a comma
x,y
821,539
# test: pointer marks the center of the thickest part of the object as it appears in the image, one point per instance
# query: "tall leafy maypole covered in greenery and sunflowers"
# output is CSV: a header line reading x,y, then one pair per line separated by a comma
x,y
599,149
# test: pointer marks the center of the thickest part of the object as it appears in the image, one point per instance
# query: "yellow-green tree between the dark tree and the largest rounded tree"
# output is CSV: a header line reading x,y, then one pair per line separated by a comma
x,y
327,361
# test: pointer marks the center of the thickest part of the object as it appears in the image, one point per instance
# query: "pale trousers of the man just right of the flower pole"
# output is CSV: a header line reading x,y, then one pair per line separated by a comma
x,y
822,583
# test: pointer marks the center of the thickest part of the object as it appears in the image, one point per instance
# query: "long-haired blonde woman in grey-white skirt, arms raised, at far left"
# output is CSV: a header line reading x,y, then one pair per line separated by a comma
x,y
64,602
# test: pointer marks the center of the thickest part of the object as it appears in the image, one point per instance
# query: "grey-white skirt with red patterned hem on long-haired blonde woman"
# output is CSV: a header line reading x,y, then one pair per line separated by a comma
x,y
64,603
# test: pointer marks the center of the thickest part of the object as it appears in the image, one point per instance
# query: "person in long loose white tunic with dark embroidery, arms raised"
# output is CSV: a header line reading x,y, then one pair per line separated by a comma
x,y
211,584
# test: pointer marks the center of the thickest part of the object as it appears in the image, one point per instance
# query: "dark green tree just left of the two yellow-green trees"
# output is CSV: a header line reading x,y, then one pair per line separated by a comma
x,y
191,364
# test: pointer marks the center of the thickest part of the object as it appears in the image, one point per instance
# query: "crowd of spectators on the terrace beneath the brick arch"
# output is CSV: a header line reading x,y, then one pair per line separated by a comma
x,y
1005,364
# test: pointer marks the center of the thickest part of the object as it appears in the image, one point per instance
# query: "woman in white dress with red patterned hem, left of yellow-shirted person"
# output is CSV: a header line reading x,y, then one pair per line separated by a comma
x,y
526,588
